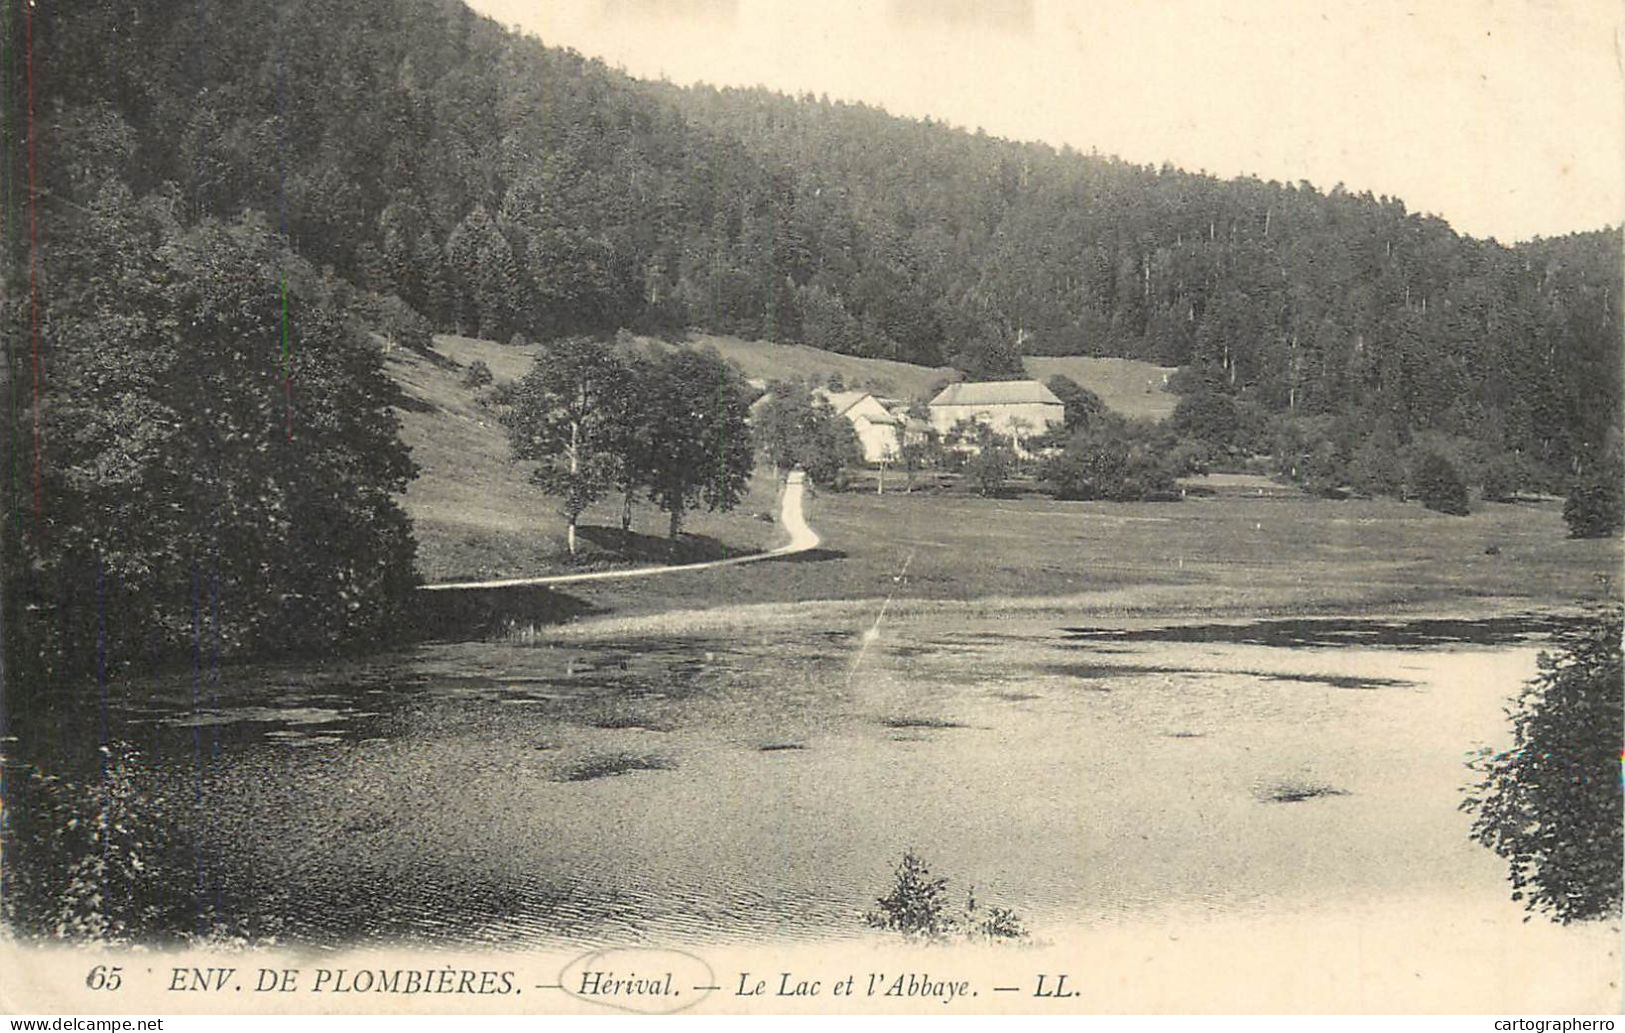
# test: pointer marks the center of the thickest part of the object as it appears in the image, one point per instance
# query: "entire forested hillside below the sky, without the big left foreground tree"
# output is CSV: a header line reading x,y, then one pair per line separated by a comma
x,y
505,188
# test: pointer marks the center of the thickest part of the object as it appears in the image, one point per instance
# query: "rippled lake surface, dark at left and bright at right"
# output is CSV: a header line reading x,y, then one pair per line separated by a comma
x,y
696,789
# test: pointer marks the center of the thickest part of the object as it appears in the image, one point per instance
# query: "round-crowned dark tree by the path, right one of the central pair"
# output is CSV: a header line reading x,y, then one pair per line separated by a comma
x,y
700,438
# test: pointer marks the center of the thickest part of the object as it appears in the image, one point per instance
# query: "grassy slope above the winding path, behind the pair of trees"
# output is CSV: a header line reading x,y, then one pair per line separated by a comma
x,y
477,514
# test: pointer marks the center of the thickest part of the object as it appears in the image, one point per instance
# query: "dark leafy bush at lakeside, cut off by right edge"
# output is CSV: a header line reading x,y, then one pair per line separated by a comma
x,y
1551,806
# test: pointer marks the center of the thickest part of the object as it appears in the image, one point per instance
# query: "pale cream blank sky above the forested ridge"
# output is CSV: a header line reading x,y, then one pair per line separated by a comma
x,y
1504,116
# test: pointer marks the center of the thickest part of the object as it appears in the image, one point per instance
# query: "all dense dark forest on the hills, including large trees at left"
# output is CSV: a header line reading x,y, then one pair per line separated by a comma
x,y
407,166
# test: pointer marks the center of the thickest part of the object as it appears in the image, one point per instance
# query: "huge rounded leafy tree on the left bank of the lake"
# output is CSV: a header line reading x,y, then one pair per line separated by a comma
x,y
227,462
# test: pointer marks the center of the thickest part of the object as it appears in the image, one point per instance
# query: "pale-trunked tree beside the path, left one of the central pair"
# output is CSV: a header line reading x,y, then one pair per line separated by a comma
x,y
566,415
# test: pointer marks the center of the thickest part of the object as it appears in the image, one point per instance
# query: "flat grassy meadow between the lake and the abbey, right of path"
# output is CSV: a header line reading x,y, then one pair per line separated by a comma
x,y
1218,555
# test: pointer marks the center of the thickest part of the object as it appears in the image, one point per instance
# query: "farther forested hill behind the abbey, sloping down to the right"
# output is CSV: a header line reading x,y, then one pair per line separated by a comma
x,y
1304,301
